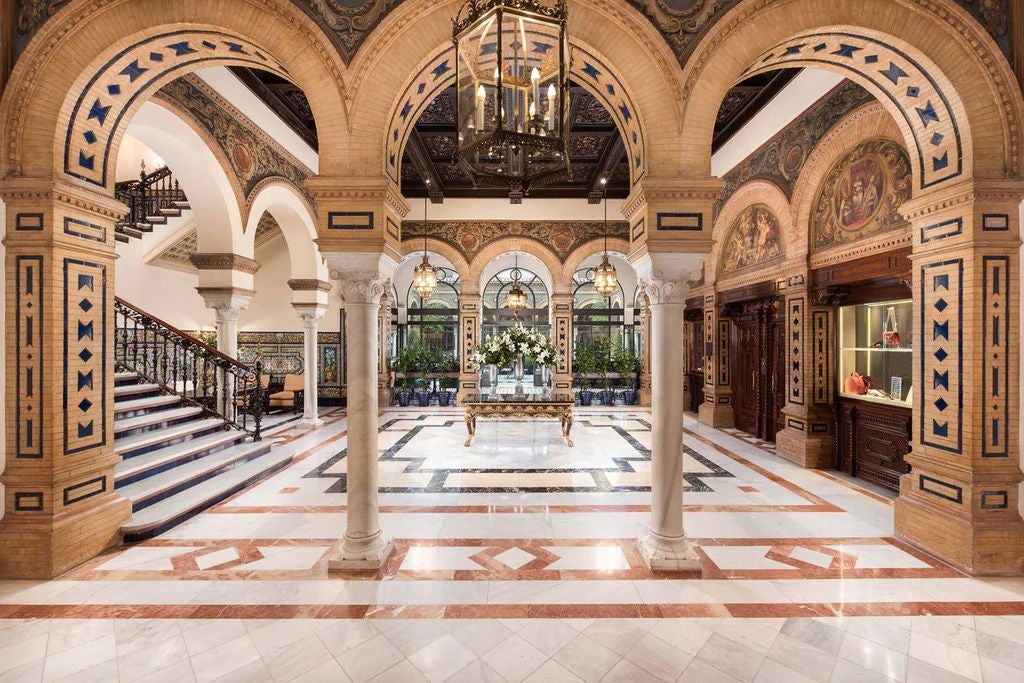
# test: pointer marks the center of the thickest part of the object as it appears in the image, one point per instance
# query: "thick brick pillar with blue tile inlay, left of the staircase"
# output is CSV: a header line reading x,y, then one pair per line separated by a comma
x,y
61,509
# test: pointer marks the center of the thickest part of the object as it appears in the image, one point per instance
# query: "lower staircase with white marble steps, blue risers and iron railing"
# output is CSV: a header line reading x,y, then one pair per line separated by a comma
x,y
187,423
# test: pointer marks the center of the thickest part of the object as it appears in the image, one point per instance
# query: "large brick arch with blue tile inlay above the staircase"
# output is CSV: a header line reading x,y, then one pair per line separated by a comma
x,y
93,66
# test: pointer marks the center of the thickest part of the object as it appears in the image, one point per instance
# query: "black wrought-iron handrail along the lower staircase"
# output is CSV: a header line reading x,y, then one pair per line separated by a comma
x,y
198,373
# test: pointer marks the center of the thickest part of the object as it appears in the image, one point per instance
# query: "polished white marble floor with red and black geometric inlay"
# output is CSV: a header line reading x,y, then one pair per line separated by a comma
x,y
516,562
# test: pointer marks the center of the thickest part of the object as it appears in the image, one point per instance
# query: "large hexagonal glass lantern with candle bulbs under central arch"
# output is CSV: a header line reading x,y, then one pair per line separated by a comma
x,y
513,66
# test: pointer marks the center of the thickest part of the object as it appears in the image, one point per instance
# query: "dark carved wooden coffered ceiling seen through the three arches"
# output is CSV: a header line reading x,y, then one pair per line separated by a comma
x,y
595,148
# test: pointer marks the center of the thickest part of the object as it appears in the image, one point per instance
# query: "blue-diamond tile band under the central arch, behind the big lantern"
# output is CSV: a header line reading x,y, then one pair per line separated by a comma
x,y
587,70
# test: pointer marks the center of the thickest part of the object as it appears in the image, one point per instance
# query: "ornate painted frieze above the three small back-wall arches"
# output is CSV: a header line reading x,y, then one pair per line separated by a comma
x,y
470,238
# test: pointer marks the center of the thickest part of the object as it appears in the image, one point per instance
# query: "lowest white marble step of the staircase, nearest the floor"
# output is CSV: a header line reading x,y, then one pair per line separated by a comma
x,y
160,517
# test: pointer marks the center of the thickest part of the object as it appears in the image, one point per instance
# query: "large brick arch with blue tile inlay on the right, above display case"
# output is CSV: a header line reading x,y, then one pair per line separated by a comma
x,y
936,71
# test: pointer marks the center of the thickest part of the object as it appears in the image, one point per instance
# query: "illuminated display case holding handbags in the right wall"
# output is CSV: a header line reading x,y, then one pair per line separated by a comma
x,y
876,352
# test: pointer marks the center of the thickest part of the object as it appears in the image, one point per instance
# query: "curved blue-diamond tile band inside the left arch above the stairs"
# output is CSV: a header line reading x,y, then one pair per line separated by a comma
x,y
110,94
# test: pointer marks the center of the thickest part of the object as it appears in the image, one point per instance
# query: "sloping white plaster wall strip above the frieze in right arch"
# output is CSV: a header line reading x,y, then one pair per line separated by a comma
x,y
808,87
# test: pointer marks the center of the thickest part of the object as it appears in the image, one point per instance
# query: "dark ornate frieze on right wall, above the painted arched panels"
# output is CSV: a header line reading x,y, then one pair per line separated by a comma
x,y
782,158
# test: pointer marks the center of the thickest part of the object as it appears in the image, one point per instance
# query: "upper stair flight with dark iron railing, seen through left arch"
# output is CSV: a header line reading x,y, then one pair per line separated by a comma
x,y
152,201
